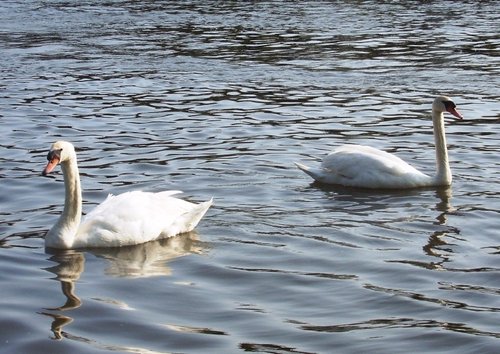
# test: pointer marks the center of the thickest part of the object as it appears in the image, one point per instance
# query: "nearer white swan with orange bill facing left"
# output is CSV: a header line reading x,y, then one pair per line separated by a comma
x,y
126,219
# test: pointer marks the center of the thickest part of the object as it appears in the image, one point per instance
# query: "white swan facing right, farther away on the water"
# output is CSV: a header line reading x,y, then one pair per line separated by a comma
x,y
367,167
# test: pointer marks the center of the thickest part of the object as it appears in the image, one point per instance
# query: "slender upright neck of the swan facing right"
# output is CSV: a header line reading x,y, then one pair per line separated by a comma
x,y
443,175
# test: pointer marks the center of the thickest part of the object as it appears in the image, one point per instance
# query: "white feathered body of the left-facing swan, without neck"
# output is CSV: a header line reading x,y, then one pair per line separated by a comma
x,y
136,217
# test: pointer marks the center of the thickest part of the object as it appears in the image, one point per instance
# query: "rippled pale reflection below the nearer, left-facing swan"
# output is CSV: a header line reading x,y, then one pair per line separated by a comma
x,y
144,260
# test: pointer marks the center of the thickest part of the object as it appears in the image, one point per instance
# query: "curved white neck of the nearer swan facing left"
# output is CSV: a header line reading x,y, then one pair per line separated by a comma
x,y
63,233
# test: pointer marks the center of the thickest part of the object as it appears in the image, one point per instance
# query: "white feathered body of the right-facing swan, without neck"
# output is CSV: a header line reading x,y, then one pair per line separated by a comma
x,y
364,166
